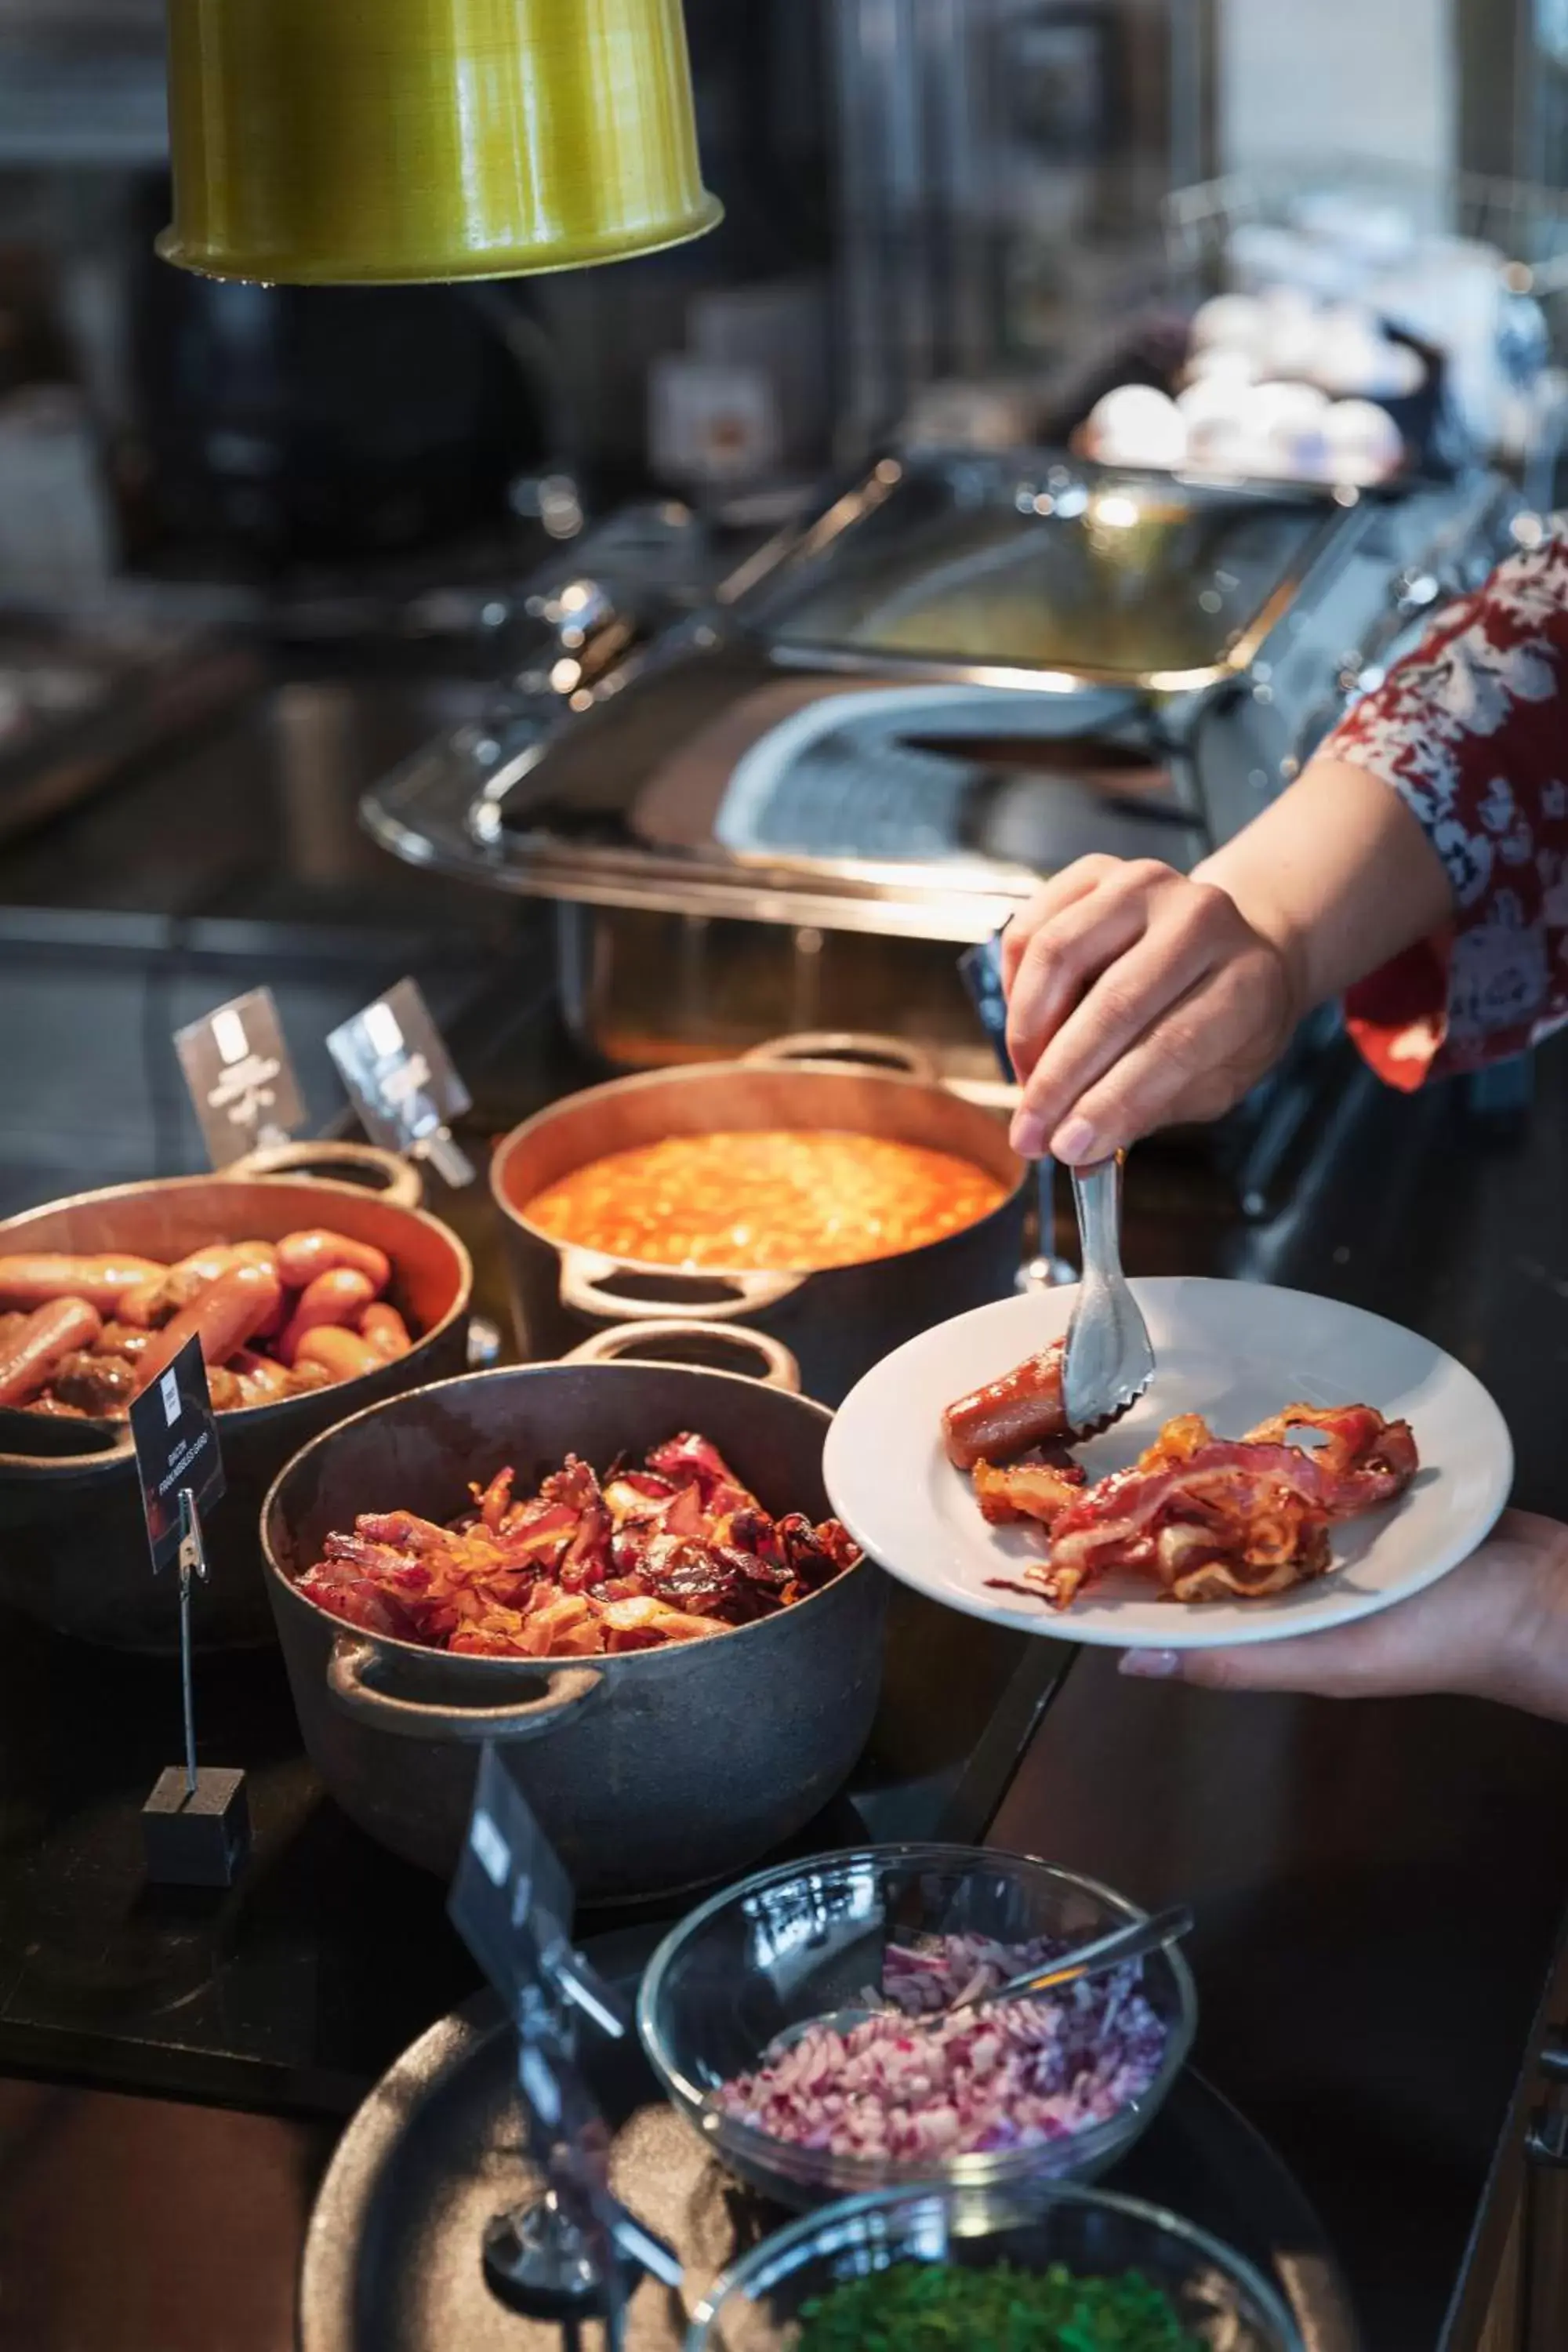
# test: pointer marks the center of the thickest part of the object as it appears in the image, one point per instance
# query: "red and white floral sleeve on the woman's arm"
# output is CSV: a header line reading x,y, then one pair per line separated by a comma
x,y
1473,735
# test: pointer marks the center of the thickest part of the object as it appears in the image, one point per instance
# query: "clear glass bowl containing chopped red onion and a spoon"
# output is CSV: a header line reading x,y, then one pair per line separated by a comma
x,y
808,1939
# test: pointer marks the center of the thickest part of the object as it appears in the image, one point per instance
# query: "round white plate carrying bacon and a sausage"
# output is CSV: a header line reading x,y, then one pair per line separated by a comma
x,y
1231,1351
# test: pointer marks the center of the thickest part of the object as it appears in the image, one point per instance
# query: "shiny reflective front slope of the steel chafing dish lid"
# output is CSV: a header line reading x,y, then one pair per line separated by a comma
x,y
721,763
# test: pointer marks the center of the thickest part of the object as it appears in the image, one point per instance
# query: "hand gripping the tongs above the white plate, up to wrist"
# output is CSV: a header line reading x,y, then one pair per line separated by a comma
x,y
1137,996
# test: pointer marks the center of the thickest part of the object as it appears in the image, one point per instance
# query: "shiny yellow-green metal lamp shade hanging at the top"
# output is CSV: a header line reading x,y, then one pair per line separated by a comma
x,y
389,142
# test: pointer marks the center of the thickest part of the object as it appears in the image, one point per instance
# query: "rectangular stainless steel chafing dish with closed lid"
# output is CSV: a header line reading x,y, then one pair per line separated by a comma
x,y
791,806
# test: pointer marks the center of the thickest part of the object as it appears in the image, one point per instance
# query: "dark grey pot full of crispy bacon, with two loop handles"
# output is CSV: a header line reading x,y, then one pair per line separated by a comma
x,y
622,1568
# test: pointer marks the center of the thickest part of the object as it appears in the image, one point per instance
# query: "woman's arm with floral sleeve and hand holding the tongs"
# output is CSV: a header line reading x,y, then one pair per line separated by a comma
x,y
1421,864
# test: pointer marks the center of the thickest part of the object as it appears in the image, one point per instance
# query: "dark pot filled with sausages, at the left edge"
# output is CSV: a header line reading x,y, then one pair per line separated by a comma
x,y
309,1302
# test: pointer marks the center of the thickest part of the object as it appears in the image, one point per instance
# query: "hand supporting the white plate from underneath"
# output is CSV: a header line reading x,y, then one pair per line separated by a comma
x,y
1492,1629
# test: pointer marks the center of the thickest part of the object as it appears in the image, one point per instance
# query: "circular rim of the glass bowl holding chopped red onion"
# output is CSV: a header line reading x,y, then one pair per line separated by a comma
x,y
855,2177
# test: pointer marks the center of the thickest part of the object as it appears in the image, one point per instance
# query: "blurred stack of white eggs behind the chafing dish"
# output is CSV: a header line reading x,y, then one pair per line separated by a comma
x,y
1278,387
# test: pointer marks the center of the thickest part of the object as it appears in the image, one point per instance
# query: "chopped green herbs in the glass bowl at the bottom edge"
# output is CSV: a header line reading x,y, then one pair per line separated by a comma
x,y
944,2308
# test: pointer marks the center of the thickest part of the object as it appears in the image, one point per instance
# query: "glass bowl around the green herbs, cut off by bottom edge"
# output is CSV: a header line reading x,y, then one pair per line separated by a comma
x,y
1224,2304
